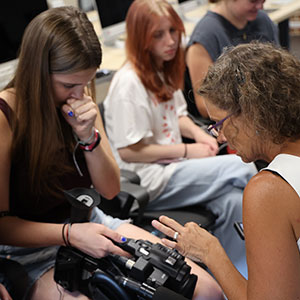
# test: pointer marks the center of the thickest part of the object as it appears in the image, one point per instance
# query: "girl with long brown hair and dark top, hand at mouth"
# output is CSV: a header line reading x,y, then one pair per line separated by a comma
x,y
52,139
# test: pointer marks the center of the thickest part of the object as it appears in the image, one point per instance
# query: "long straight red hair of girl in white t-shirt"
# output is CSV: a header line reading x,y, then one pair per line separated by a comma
x,y
141,22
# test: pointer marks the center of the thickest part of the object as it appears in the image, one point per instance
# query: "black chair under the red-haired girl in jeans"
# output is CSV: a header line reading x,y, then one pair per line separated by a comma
x,y
131,190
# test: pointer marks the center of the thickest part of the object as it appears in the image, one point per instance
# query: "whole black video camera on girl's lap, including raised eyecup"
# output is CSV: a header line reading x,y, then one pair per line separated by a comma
x,y
153,272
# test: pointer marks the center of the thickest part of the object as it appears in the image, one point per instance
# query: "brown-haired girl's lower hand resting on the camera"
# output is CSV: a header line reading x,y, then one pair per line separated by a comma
x,y
95,239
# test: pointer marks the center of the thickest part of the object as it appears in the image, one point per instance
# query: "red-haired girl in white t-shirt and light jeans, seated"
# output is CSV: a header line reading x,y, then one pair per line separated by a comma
x,y
145,115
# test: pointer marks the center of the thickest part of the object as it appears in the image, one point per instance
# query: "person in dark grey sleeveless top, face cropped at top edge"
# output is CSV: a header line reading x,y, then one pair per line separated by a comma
x,y
228,23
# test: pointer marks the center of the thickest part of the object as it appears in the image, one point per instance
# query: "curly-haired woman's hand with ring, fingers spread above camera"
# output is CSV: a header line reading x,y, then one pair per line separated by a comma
x,y
192,241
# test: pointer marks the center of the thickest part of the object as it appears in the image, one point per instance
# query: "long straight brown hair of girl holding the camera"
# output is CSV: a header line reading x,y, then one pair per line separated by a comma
x,y
59,40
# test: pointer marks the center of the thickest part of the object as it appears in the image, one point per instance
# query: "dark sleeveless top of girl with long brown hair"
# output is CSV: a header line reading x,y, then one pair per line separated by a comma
x,y
45,208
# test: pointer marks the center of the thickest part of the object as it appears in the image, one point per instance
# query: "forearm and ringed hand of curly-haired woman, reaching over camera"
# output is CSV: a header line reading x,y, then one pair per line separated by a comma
x,y
198,244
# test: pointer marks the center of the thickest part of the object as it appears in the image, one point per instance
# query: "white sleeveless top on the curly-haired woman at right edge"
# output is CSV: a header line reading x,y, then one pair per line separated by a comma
x,y
288,167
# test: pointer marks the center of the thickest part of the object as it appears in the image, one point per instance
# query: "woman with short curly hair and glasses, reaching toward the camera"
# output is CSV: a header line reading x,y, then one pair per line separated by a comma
x,y
253,93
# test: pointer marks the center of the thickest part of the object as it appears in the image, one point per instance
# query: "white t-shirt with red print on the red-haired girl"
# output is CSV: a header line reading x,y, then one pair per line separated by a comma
x,y
133,114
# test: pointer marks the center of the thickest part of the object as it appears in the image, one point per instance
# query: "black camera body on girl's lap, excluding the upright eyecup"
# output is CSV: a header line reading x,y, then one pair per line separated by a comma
x,y
151,266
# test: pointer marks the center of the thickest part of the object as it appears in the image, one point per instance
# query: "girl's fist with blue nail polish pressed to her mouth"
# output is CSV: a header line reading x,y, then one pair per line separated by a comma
x,y
81,115
